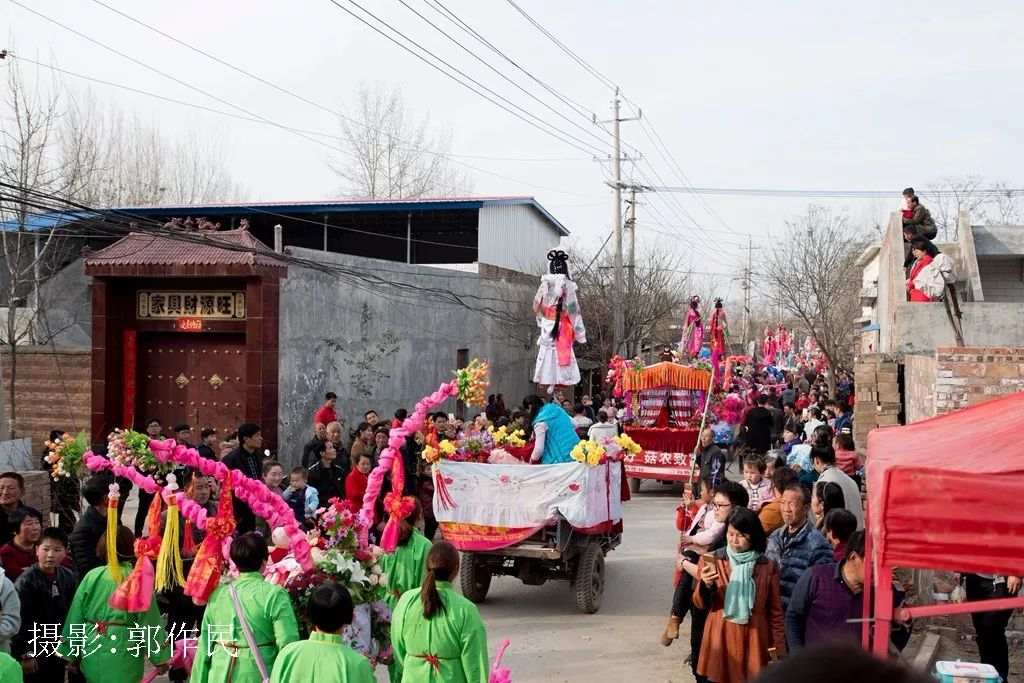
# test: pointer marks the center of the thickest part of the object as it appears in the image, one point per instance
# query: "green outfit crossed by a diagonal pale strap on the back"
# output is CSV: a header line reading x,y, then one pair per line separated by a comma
x,y
223,655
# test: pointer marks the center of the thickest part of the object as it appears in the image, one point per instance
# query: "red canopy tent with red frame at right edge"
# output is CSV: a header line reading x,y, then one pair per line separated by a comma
x,y
945,493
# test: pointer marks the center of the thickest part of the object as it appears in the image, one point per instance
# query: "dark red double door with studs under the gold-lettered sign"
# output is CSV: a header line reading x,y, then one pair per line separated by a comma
x,y
197,379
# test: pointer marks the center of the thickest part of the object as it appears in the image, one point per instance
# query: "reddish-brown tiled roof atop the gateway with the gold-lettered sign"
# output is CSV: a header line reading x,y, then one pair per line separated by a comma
x,y
141,250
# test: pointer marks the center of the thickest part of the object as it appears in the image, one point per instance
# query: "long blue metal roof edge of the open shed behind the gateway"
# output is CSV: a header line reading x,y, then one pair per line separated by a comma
x,y
289,208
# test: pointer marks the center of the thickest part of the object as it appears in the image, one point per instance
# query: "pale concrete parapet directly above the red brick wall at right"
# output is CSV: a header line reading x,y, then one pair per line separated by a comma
x,y
924,327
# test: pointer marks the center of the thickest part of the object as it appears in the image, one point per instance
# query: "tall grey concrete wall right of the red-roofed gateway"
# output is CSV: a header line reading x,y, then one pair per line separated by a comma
x,y
320,329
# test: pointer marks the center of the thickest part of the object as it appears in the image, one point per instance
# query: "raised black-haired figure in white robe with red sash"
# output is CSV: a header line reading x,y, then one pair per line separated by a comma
x,y
559,317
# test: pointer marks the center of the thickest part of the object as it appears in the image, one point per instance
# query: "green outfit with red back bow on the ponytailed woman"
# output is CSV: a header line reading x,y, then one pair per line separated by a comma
x,y
452,647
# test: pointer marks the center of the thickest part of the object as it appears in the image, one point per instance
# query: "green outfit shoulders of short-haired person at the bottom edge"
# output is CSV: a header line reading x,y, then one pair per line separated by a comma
x,y
323,659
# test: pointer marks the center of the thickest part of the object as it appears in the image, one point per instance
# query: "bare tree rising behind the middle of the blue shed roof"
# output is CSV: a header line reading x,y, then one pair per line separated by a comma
x,y
391,153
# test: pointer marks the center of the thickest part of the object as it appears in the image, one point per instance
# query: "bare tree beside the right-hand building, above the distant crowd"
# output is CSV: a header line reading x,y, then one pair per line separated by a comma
x,y
812,276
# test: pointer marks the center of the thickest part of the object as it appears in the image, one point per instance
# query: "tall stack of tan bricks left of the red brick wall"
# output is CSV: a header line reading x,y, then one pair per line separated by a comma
x,y
879,399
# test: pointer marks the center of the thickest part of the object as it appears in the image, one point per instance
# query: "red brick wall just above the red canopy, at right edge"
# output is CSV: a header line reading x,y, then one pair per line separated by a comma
x,y
973,375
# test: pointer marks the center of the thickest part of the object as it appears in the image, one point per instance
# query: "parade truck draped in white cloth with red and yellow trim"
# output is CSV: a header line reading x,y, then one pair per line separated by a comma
x,y
535,523
